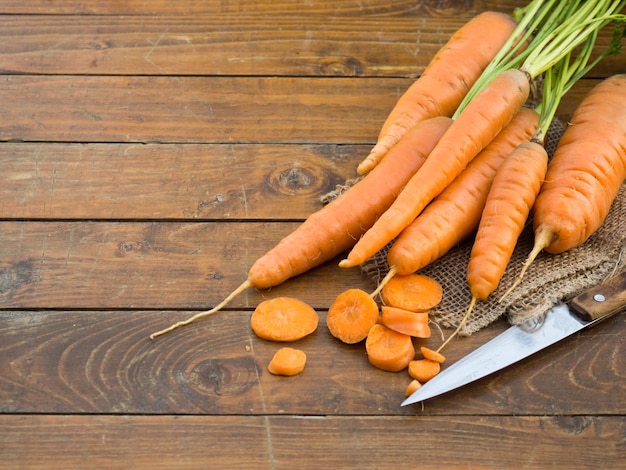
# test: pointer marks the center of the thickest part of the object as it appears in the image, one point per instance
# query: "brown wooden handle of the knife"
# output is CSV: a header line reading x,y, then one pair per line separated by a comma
x,y
602,300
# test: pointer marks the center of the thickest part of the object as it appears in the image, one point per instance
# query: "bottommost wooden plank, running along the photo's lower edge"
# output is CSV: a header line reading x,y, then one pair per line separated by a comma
x,y
282,442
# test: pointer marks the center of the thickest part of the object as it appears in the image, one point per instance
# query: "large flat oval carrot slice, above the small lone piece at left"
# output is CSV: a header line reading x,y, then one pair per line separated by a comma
x,y
283,319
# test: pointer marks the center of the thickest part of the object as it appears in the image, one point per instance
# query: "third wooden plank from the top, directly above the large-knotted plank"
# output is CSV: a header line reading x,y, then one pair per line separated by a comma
x,y
201,109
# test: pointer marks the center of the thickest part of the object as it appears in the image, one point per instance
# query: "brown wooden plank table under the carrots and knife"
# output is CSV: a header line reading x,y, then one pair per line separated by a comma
x,y
150,152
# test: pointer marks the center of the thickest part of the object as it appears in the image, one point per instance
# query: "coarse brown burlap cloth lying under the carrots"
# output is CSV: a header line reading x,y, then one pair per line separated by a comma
x,y
550,279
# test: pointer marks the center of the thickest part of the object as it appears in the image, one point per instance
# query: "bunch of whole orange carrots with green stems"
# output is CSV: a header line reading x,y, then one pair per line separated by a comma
x,y
460,154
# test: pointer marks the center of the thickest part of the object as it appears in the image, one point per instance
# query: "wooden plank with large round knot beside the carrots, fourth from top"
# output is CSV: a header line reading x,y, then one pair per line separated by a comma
x,y
203,182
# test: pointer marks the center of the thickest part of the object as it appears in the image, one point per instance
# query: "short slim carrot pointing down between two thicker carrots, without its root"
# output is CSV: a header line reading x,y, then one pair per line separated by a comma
x,y
511,197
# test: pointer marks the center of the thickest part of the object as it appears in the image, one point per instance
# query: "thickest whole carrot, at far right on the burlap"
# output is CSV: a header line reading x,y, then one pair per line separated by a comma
x,y
587,168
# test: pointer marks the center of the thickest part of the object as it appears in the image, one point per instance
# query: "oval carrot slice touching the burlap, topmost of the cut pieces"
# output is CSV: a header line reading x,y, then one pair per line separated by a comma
x,y
414,292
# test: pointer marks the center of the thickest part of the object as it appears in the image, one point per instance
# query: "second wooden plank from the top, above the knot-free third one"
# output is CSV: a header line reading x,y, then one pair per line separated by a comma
x,y
251,45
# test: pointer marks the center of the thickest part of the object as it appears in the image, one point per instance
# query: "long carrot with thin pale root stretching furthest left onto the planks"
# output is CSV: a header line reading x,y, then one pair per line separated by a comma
x,y
336,227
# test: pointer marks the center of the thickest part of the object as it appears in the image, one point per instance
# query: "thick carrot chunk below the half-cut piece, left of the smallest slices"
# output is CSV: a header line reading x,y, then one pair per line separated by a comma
x,y
387,349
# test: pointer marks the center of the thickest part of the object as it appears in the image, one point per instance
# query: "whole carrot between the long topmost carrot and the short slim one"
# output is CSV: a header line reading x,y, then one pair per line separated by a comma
x,y
455,213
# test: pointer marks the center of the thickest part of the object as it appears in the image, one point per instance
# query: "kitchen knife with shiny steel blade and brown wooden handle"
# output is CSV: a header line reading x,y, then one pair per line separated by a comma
x,y
520,341
